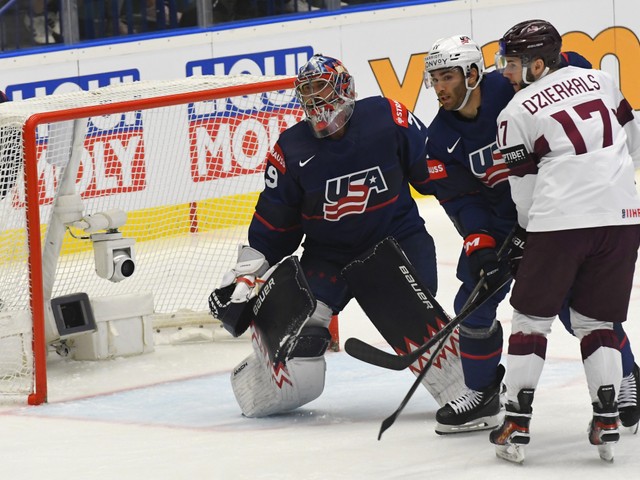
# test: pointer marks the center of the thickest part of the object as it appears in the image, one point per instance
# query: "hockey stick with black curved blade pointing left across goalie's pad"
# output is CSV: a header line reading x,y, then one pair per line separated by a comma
x,y
381,358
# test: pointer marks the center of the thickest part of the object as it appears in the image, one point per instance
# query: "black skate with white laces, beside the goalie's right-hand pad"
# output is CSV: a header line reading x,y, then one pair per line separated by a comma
x,y
473,410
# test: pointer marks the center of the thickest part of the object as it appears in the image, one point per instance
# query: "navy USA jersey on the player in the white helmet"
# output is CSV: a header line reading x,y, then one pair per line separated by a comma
x,y
466,171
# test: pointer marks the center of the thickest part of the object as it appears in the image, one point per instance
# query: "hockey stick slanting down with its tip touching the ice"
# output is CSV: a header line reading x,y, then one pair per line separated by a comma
x,y
474,301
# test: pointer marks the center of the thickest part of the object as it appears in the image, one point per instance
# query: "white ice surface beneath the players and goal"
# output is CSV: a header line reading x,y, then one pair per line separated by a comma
x,y
171,414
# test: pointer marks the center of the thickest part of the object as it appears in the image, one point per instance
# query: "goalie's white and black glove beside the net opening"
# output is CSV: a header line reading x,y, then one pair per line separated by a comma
x,y
227,302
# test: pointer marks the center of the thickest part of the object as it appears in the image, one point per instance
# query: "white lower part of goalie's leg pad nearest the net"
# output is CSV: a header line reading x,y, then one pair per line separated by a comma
x,y
262,391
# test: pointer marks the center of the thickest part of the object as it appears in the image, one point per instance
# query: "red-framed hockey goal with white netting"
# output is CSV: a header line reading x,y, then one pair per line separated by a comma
x,y
184,159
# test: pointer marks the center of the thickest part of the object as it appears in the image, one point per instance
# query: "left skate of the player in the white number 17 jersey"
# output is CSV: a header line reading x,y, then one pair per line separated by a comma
x,y
513,435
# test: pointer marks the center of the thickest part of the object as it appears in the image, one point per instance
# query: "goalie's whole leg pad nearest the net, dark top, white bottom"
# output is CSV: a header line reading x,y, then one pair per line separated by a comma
x,y
289,336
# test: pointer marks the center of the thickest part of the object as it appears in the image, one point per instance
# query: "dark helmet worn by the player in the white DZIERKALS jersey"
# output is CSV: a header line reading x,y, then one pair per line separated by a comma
x,y
528,41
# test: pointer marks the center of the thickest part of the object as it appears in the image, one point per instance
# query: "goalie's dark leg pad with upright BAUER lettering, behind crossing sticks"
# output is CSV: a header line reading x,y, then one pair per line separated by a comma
x,y
406,314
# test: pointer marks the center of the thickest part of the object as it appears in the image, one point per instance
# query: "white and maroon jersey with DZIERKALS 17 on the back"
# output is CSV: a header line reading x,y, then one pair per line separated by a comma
x,y
570,141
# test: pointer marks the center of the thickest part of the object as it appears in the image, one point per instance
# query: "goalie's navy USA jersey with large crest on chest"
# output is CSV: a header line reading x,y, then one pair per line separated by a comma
x,y
342,195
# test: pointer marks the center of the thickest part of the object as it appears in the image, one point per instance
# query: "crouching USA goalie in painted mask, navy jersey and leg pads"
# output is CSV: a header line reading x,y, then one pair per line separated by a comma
x,y
340,180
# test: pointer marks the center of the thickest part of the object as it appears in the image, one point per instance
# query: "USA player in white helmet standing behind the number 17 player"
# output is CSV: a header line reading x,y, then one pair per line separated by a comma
x,y
469,178
